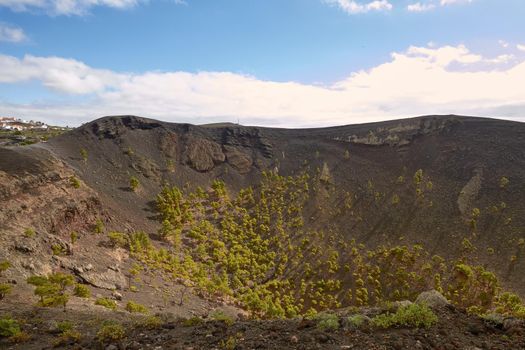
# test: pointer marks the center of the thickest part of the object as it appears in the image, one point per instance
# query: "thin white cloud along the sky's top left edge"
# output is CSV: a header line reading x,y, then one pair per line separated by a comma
x,y
65,7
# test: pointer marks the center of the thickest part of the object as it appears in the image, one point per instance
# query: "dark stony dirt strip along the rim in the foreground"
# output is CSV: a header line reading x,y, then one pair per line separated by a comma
x,y
454,330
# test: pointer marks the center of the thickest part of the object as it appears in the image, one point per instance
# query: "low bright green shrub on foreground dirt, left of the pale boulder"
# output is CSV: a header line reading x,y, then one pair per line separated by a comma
x,y
413,315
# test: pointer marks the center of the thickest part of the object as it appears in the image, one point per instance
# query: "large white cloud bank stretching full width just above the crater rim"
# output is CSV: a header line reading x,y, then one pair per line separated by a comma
x,y
417,81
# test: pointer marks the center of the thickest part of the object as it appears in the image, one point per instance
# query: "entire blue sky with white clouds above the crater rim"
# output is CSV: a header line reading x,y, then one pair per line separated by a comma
x,y
268,62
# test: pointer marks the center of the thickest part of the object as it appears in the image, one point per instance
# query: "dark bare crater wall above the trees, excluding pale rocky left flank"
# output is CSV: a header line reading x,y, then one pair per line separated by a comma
x,y
372,165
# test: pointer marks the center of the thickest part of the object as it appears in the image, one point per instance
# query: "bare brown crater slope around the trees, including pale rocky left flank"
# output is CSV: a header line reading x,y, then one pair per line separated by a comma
x,y
453,184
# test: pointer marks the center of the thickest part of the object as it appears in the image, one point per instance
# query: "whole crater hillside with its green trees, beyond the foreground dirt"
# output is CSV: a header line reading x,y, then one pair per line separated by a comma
x,y
270,222
